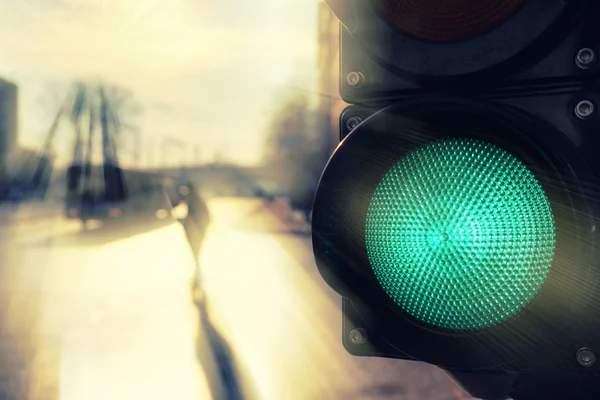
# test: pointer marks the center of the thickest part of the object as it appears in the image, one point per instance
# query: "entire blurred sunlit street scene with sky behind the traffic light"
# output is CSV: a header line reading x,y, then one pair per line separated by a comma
x,y
156,189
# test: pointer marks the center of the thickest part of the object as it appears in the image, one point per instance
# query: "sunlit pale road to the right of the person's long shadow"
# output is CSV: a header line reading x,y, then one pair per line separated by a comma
x,y
283,322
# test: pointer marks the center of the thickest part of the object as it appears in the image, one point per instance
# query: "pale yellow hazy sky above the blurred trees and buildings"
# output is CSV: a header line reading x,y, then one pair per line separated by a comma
x,y
205,71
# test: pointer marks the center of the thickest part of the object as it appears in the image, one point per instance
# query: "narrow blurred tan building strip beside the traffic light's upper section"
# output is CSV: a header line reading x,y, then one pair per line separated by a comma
x,y
329,71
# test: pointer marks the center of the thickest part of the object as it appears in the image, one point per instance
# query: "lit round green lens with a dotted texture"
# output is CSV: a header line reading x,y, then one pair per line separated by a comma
x,y
460,234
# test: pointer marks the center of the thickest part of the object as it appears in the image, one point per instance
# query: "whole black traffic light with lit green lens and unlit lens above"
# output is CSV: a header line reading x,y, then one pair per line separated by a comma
x,y
458,217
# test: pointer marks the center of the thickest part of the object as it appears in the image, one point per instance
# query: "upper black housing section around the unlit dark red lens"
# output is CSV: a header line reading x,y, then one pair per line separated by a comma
x,y
538,45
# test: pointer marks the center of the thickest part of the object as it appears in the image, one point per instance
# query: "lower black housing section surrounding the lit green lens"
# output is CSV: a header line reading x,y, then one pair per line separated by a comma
x,y
561,149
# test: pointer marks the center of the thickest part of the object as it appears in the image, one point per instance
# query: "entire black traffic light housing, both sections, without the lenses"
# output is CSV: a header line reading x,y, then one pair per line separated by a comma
x,y
520,82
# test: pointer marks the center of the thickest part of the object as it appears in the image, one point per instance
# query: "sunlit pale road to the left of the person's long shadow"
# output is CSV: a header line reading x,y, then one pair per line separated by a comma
x,y
102,315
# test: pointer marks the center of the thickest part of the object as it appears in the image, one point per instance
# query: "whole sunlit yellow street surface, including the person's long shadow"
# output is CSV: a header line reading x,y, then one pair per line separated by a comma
x,y
109,314
